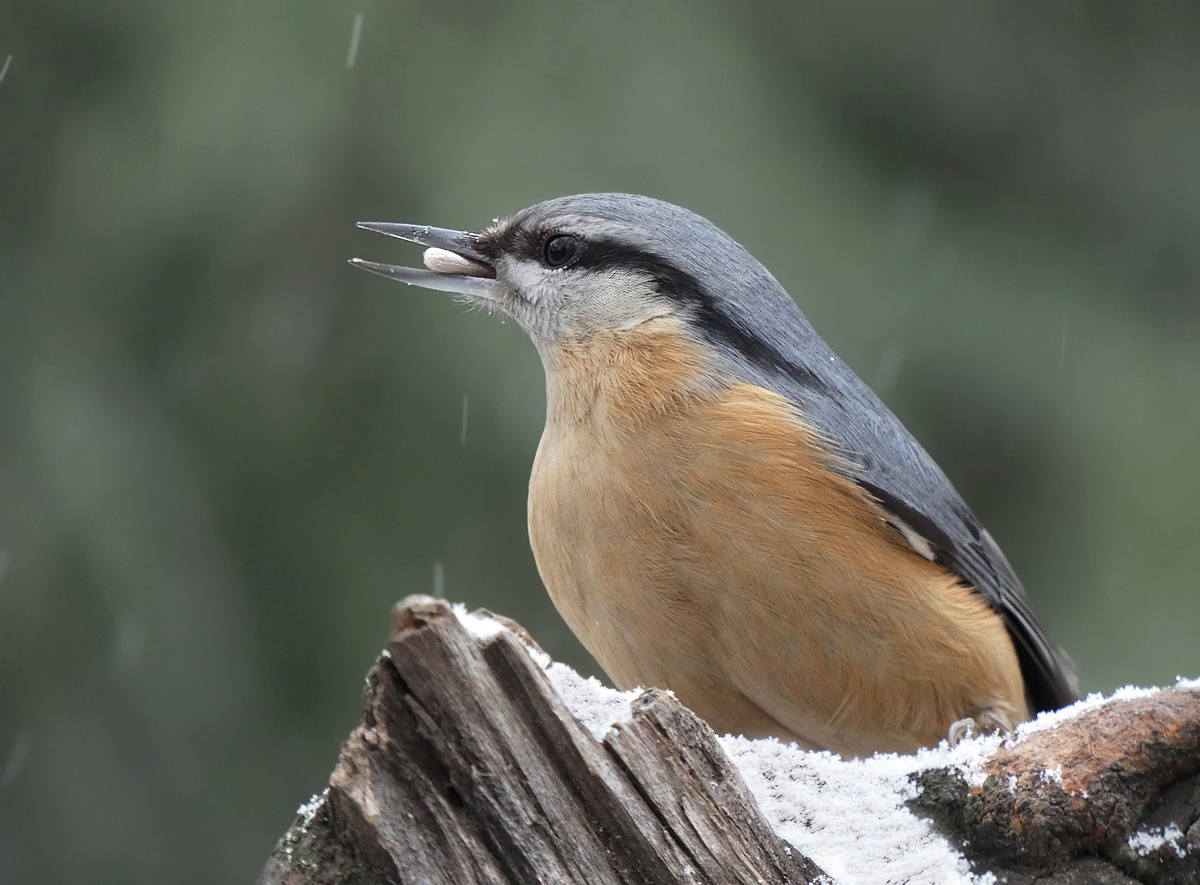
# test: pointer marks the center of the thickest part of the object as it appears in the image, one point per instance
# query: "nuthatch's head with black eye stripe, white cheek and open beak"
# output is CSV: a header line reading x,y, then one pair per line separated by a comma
x,y
571,268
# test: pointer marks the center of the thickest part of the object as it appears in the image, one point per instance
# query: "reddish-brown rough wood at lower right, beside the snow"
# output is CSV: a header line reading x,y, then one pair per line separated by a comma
x,y
1082,791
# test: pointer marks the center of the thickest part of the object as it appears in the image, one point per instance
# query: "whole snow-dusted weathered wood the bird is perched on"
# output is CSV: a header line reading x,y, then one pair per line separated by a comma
x,y
481,760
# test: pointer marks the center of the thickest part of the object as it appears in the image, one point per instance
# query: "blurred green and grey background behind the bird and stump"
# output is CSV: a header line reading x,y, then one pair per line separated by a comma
x,y
225,454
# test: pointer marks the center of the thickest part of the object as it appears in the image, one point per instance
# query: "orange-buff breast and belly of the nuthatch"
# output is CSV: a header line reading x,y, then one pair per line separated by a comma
x,y
694,538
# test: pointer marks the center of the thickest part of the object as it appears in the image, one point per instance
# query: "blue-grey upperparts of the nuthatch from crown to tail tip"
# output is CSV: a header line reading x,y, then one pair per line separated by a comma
x,y
764,339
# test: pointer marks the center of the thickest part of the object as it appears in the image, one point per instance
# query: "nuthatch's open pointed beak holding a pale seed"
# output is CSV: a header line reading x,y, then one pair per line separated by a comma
x,y
452,258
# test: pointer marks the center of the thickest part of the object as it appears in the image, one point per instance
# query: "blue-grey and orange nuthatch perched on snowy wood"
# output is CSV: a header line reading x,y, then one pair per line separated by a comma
x,y
721,508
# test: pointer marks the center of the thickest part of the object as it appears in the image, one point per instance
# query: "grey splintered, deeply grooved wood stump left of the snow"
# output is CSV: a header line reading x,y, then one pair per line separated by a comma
x,y
469,769
